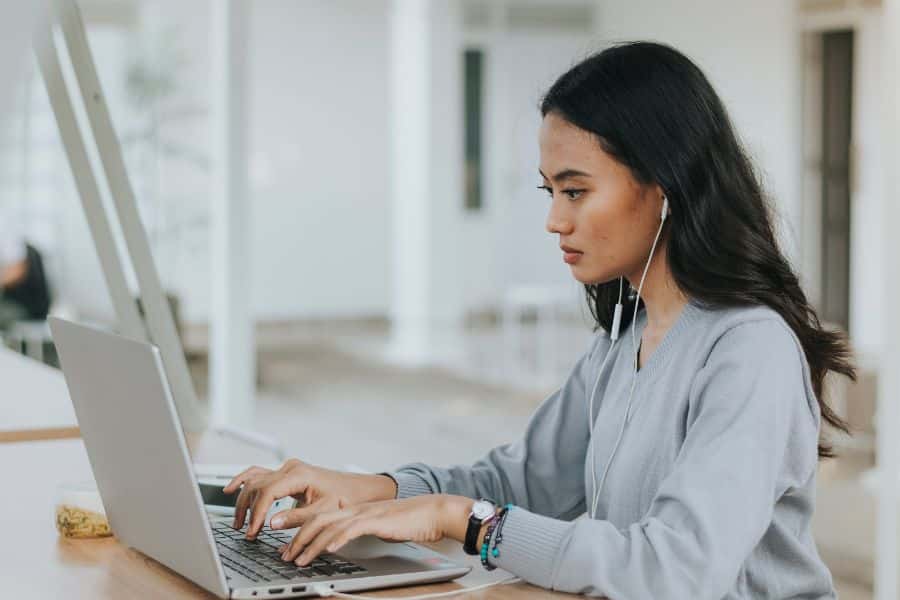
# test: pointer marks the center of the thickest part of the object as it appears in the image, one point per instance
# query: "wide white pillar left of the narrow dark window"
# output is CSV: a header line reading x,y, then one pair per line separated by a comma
x,y
426,188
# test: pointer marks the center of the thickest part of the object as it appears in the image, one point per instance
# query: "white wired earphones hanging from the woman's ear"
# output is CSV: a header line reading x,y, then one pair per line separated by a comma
x,y
614,336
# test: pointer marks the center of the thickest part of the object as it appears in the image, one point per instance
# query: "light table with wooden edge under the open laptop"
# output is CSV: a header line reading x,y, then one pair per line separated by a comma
x,y
37,563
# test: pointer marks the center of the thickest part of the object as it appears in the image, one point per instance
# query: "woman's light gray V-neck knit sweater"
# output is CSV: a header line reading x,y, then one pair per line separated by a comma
x,y
711,491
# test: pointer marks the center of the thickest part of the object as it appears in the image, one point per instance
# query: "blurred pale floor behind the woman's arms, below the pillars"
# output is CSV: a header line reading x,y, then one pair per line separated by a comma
x,y
327,398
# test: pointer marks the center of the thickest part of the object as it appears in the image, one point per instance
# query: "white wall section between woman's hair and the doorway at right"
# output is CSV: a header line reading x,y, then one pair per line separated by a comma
x,y
750,53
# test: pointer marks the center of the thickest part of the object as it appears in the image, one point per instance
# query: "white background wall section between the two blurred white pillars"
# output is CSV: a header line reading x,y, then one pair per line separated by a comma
x,y
318,101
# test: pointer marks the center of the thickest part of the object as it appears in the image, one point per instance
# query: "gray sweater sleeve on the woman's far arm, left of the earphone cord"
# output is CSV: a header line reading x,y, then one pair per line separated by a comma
x,y
536,470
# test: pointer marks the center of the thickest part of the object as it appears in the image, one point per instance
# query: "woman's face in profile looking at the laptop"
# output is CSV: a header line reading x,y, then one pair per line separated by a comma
x,y
605,216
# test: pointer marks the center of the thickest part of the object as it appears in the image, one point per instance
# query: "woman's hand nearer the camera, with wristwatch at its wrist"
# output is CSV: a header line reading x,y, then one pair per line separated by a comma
x,y
427,518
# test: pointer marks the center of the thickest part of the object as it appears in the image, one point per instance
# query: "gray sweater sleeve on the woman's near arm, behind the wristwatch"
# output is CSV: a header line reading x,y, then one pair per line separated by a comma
x,y
752,432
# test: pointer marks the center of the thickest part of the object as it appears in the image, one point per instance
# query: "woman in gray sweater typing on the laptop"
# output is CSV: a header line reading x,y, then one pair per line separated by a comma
x,y
691,442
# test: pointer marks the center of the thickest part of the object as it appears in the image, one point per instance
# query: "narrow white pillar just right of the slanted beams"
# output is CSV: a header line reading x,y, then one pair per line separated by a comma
x,y
232,348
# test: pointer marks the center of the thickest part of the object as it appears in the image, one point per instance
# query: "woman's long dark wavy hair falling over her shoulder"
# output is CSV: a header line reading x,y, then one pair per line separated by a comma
x,y
652,109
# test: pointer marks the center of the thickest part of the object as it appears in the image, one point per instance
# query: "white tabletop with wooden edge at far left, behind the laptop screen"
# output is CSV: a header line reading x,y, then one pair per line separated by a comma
x,y
34,401
